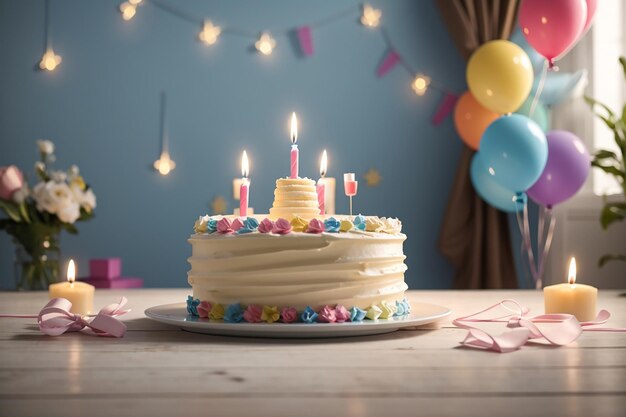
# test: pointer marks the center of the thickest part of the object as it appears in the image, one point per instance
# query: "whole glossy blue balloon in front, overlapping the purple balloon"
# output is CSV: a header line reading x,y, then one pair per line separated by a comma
x,y
515,150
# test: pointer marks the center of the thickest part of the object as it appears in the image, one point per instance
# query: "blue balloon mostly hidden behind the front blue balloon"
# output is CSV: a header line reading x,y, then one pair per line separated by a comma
x,y
489,190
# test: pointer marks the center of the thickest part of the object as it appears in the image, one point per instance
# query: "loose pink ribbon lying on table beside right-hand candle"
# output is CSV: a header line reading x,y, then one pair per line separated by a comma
x,y
556,329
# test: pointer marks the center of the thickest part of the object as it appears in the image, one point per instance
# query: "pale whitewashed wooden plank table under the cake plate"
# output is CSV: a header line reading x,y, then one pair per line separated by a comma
x,y
156,370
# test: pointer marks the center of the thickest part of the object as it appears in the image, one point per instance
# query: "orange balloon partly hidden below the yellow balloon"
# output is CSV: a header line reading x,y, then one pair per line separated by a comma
x,y
471,119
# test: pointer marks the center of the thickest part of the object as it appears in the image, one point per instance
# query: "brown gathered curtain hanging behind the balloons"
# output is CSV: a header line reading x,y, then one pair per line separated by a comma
x,y
475,236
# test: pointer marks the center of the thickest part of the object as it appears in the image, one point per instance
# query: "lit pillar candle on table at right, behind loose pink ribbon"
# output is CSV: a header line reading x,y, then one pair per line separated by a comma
x,y
572,298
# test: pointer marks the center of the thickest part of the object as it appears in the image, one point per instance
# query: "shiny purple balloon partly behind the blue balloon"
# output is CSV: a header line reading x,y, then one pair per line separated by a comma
x,y
566,171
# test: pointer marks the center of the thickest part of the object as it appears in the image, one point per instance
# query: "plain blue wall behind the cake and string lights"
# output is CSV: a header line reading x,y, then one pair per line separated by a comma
x,y
101,108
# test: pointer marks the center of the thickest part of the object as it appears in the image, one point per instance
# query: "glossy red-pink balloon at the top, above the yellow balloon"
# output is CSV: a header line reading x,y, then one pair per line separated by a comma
x,y
553,26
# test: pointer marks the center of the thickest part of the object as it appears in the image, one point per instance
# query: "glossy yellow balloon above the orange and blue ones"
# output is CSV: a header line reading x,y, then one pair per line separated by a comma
x,y
500,76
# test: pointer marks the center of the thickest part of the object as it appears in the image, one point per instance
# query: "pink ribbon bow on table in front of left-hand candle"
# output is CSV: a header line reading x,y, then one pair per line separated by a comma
x,y
55,319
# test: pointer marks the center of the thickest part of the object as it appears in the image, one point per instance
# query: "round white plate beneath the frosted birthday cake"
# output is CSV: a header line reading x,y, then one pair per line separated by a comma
x,y
176,315
